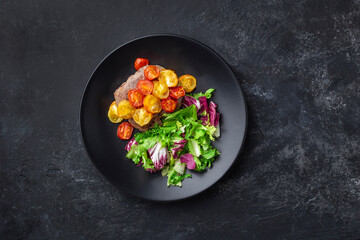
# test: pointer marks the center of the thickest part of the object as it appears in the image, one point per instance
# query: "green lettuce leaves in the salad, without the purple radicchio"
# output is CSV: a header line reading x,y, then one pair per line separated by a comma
x,y
198,136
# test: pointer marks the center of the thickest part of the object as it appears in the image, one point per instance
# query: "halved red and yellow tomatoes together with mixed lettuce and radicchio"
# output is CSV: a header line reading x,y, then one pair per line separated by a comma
x,y
182,139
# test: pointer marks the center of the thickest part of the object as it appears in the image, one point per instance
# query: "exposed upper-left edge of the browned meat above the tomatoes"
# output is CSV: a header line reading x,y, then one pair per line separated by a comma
x,y
121,93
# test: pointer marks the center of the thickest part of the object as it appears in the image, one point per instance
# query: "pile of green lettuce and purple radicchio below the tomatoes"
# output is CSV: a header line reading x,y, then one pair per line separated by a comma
x,y
183,133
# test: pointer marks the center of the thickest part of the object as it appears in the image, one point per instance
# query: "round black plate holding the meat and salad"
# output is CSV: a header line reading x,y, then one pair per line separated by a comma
x,y
185,56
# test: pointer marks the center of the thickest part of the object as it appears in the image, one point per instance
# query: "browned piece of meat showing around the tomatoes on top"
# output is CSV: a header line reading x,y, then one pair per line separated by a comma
x,y
131,83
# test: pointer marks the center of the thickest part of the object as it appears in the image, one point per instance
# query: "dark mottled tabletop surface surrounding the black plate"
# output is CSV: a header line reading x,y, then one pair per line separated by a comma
x,y
298,176
